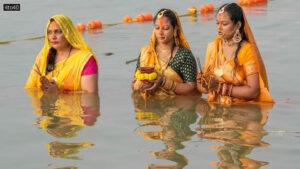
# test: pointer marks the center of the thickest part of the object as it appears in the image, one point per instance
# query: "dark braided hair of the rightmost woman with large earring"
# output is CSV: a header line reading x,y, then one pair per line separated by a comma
x,y
235,13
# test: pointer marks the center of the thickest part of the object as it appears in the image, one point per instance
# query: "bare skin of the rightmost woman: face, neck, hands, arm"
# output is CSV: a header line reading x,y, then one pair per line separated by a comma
x,y
226,29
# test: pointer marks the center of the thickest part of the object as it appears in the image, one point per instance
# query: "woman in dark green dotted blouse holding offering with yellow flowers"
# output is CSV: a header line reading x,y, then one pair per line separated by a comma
x,y
168,54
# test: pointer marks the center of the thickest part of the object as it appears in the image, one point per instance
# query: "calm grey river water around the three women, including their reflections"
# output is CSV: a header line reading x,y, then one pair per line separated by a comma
x,y
117,130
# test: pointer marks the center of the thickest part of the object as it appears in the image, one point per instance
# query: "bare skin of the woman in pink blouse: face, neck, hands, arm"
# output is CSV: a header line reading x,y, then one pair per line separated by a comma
x,y
57,40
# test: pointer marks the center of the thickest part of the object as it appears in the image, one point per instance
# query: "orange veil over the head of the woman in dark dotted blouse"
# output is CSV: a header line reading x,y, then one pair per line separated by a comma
x,y
148,56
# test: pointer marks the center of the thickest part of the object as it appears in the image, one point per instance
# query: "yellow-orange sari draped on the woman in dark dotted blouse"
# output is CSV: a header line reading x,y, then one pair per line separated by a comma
x,y
149,58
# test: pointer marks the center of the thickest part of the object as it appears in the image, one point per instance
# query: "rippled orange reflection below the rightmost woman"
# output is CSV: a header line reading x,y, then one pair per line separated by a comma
x,y
239,128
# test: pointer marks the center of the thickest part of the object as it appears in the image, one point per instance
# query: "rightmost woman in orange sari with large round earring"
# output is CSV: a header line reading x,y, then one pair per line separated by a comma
x,y
233,70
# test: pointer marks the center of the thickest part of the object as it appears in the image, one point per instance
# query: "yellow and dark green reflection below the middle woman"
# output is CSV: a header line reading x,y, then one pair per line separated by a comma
x,y
173,116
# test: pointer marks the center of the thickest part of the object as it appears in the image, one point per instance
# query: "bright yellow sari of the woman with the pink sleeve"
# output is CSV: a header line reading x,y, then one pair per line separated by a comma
x,y
67,72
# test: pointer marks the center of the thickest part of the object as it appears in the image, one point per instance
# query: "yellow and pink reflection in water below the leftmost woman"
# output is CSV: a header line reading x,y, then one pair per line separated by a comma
x,y
62,116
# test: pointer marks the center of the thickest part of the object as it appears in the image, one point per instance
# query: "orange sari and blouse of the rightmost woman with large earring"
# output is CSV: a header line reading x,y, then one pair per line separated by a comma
x,y
250,62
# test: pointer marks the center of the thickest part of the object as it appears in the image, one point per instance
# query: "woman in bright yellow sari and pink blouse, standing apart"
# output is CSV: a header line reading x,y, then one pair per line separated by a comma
x,y
65,63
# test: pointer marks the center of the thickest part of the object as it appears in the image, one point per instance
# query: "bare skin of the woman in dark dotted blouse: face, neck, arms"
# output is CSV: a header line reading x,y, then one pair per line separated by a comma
x,y
164,33
